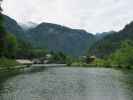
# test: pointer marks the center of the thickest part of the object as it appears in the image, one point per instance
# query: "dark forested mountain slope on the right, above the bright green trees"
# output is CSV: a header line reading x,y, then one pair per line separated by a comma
x,y
111,42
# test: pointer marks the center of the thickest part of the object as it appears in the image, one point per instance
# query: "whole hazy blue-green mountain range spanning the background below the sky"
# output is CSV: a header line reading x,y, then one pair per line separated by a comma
x,y
73,42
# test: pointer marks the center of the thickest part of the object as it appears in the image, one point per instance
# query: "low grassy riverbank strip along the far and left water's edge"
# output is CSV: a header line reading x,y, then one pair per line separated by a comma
x,y
9,67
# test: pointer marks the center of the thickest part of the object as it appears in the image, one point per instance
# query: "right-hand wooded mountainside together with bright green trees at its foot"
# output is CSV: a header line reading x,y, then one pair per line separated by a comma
x,y
115,49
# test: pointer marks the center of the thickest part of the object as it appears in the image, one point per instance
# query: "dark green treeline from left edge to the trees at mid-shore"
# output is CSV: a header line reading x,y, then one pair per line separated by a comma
x,y
14,48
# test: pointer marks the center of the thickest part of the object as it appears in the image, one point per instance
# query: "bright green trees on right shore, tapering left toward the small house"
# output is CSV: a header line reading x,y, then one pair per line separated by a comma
x,y
121,58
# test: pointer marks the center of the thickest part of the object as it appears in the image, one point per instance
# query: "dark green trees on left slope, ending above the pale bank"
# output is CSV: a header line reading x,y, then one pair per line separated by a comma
x,y
11,47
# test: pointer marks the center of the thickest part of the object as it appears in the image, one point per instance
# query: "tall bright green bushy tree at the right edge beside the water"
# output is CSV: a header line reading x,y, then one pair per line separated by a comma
x,y
123,56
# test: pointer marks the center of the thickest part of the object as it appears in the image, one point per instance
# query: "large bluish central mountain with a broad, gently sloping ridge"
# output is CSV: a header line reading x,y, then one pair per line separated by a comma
x,y
60,38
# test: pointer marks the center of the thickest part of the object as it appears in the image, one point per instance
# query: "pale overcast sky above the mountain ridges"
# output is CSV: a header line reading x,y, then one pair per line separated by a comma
x,y
92,15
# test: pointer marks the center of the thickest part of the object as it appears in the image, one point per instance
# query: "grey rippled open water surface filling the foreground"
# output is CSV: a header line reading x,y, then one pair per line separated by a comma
x,y
68,84
